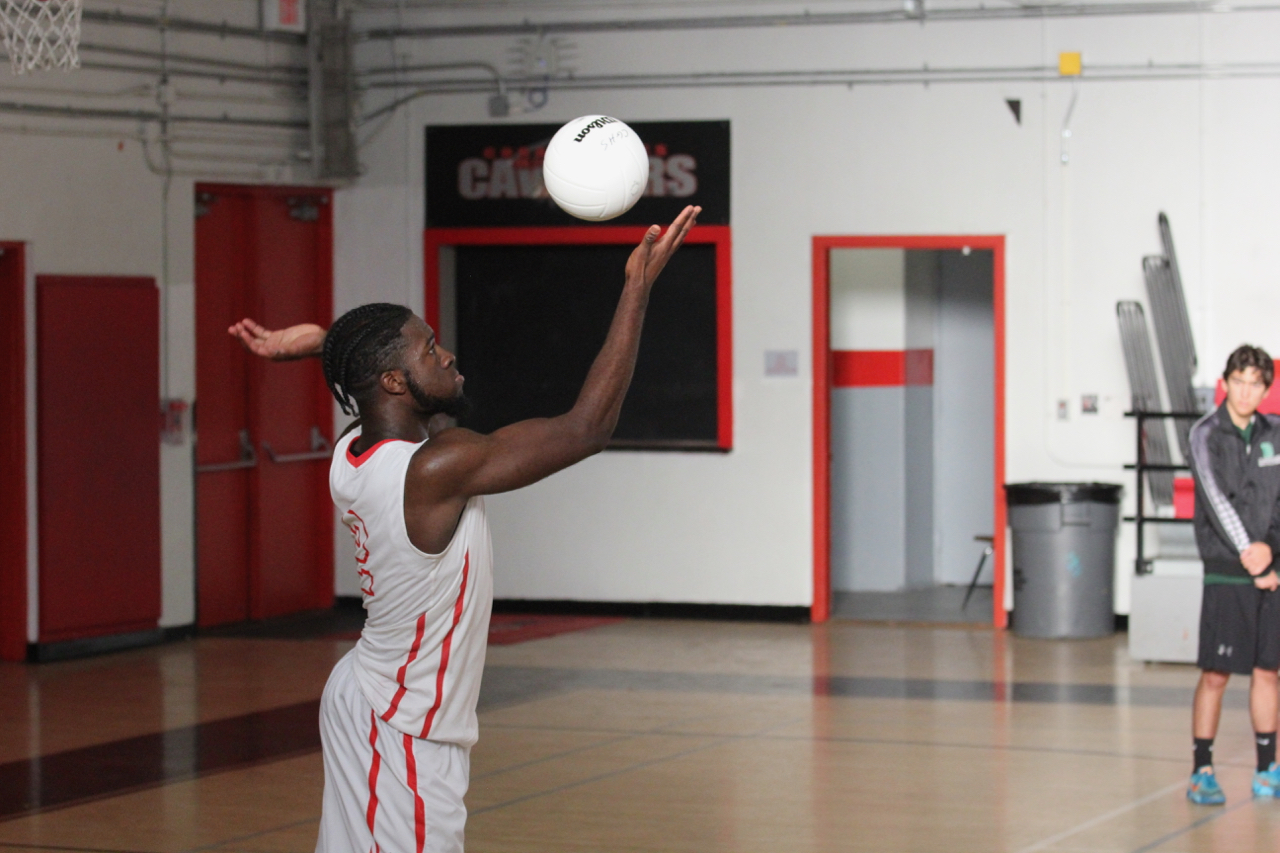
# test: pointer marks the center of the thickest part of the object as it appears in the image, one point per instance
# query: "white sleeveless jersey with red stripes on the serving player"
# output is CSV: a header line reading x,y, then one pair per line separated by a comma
x,y
422,653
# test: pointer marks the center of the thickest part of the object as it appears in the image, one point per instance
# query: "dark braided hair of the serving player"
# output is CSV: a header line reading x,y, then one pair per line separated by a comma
x,y
360,346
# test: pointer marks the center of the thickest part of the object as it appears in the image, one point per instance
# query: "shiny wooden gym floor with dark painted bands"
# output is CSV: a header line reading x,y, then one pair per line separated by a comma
x,y
646,736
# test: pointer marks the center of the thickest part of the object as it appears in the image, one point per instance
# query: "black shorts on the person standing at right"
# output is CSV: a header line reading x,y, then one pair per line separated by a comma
x,y
1240,630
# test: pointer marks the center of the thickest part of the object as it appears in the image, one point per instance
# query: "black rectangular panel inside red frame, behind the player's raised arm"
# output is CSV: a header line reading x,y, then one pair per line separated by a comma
x,y
531,321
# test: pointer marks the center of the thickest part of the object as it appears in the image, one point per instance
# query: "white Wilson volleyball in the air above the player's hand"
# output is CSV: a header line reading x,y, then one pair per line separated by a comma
x,y
596,168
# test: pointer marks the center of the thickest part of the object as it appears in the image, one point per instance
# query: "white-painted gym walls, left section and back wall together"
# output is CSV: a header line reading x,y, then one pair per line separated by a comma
x,y
939,159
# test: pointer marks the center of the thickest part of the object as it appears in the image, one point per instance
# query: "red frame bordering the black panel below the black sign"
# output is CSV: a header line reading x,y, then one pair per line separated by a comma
x,y
719,236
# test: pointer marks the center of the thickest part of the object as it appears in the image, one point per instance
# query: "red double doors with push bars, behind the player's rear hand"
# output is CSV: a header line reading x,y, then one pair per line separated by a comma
x,y
264,518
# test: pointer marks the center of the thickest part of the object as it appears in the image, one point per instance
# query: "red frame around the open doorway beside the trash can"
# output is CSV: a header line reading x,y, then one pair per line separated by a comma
x,y
822,382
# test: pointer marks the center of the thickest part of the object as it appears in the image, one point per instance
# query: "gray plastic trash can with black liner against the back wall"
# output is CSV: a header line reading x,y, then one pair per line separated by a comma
x,y
1064,558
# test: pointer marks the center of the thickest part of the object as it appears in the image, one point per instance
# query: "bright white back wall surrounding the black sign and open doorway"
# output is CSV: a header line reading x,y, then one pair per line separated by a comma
x,y
897,159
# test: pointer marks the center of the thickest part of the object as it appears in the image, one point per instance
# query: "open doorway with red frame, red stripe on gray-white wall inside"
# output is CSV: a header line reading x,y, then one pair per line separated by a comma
x,y
908,428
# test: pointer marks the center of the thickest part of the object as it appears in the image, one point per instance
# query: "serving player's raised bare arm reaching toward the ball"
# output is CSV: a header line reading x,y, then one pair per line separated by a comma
x,y
461,463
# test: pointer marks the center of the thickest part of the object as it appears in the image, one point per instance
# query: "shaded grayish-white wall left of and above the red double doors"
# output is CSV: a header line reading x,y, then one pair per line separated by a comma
x,y
90,199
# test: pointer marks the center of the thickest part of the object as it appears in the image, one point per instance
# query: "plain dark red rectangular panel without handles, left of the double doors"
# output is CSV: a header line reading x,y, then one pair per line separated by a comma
x,y
98,368
